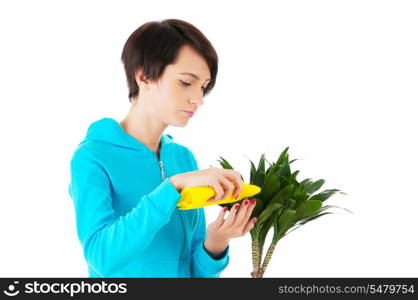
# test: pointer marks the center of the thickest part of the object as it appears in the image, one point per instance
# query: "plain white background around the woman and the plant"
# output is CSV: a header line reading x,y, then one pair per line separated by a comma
x,y
336,81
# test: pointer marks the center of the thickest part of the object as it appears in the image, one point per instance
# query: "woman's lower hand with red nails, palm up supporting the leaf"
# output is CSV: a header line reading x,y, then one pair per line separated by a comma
x,y
236,224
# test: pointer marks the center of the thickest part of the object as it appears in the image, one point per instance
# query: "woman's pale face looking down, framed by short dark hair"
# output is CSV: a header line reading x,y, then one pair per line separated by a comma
x,y
179,89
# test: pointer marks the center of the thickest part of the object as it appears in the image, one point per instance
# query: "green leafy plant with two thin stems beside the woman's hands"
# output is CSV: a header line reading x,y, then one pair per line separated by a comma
x,y
283,204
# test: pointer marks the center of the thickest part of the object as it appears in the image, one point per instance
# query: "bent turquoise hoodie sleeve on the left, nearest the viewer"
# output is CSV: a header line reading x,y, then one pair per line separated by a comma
x,y
111,242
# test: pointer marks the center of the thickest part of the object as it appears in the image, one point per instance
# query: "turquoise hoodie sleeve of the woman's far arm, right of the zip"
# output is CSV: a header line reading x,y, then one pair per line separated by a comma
x,y
203,263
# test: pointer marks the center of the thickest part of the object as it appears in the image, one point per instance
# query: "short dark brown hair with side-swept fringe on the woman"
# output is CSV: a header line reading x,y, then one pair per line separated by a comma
x,y
156,44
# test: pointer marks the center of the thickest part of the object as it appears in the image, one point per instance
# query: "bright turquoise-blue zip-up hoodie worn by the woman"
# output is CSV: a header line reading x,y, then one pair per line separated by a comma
x,y
125,208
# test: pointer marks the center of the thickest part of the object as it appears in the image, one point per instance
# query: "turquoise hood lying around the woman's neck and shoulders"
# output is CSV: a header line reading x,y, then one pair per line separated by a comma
x,y
109,131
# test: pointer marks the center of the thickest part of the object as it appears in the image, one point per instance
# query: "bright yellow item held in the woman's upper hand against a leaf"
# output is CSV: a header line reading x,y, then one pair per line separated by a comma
x,y
198,196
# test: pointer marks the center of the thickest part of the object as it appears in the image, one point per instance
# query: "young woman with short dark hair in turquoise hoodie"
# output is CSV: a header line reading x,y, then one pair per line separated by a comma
x,y
127,176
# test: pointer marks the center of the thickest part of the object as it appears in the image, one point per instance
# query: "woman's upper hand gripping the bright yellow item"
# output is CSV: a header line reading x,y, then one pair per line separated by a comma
x,y
223,181
